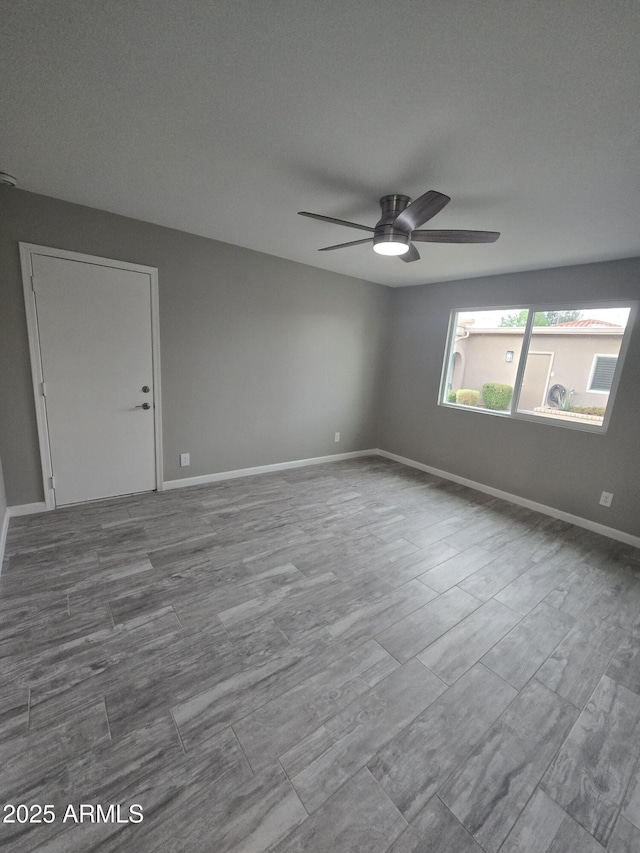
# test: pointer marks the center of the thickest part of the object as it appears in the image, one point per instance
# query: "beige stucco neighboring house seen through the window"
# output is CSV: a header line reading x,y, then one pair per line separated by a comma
x,y
580,356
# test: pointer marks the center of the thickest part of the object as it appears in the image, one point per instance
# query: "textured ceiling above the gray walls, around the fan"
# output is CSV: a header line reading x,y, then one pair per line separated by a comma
x,y
226,118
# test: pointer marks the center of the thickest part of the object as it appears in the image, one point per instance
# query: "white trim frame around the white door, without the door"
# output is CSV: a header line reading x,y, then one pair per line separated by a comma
x,y
27,250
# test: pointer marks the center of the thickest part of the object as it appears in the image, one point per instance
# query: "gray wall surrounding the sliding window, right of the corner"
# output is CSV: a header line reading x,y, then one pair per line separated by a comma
x,y
559,467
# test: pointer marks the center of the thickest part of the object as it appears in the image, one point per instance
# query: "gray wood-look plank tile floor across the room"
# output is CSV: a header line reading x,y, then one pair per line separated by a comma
x,y
348,657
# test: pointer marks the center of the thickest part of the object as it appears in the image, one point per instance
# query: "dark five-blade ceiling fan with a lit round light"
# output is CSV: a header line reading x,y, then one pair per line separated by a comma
x,y
395,232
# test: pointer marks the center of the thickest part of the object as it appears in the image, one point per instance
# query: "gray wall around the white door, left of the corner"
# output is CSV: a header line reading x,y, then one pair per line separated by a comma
x,y
262,359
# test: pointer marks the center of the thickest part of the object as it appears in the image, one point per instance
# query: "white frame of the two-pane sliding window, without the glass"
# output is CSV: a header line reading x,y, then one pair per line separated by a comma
x,y
539,418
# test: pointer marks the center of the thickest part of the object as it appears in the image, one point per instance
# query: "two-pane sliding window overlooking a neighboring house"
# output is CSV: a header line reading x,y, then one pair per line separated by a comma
x,y
554,364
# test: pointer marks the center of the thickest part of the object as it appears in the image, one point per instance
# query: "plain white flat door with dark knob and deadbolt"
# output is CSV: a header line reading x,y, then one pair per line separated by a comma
x,y
95,334
